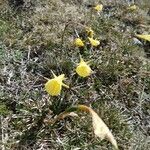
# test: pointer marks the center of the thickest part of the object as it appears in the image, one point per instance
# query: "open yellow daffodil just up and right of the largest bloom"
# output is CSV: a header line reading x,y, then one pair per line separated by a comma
x,y
83,69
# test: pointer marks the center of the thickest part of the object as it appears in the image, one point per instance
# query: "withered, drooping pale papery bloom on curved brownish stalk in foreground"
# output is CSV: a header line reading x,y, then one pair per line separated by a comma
x,y
100,128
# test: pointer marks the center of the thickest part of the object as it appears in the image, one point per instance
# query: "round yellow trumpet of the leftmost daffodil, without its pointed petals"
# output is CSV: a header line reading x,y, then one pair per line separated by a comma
x,y
53,87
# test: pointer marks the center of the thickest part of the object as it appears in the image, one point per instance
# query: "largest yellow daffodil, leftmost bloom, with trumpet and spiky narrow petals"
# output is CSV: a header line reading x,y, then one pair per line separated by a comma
x,y
54,86
